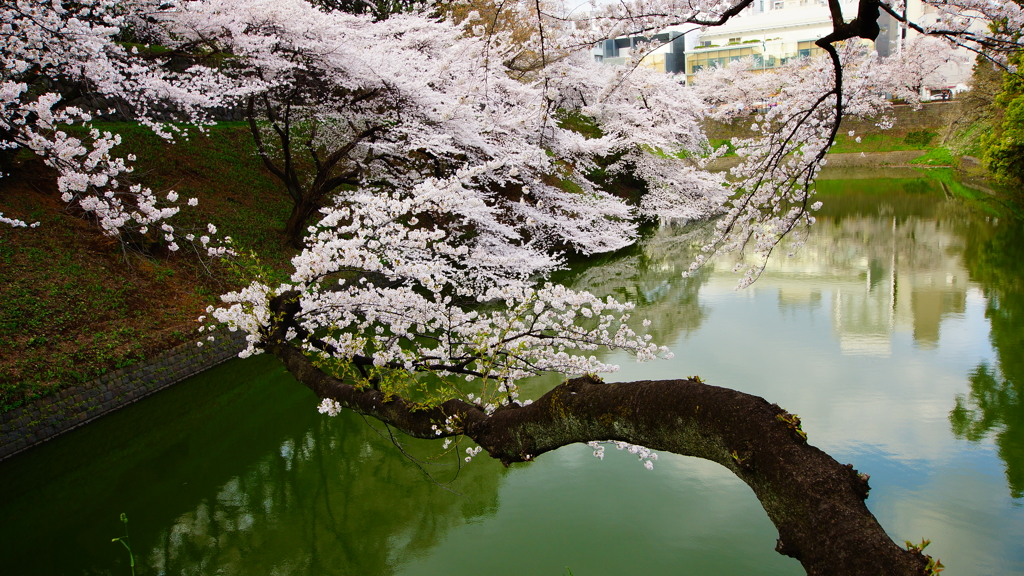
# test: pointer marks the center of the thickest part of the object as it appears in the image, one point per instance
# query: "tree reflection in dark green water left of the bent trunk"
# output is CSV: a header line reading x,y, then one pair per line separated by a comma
x,y
334,501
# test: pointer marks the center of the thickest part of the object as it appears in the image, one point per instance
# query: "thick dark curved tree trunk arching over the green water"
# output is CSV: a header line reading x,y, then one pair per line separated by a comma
x,y
817,504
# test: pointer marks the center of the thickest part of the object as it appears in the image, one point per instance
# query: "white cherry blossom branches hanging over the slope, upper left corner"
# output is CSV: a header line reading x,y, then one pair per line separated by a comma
x,y
51,51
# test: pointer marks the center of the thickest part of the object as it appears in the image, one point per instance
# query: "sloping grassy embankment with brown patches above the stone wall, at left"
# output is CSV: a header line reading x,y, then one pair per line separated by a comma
x,y
75,305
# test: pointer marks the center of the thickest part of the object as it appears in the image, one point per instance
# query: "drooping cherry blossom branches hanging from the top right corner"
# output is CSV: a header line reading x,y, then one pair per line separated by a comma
x,y
773,190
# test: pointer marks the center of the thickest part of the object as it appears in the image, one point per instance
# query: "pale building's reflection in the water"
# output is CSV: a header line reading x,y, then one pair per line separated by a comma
x,y
884,276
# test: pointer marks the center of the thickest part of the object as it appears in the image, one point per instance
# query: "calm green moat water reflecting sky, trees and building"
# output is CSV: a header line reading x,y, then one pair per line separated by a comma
x,y
897,333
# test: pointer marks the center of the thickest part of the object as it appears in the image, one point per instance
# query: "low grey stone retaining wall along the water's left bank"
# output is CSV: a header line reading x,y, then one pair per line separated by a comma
x,y
48,418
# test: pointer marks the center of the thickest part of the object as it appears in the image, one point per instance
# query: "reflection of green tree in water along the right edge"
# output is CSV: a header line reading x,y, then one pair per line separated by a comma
x,y
995,257
